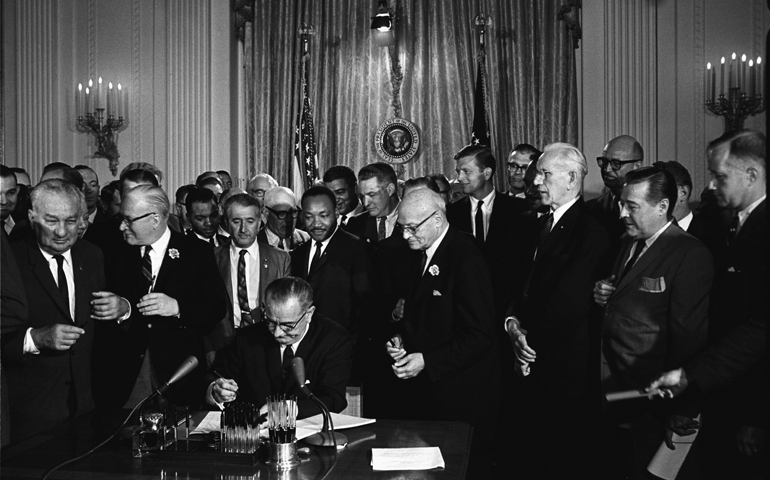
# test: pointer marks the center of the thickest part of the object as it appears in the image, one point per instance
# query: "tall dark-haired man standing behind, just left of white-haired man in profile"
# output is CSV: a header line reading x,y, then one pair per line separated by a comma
x,y
486,214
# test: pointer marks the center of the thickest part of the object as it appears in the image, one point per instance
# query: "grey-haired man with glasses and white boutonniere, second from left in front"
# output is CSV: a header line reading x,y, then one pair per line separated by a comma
x,y
176,295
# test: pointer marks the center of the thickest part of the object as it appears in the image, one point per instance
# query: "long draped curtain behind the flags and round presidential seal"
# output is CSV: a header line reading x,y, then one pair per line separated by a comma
x,y
530,60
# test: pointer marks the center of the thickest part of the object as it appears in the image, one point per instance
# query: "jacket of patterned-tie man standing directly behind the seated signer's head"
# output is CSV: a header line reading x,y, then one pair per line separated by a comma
x,y
275,264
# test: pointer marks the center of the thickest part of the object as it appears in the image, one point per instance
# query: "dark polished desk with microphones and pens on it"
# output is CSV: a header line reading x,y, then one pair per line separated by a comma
x,y
33,457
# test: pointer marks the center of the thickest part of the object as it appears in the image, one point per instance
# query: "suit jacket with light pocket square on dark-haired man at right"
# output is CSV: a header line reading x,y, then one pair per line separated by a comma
x,y
656,318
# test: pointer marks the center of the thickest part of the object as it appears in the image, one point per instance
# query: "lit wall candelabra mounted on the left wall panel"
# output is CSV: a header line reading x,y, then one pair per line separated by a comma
x,y
102,110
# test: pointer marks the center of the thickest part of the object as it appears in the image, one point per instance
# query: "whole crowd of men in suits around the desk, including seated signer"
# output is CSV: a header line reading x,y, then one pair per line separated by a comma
x,y
514,311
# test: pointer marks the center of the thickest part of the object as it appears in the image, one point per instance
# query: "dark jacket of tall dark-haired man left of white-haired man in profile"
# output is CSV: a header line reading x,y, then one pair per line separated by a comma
x,y
501,233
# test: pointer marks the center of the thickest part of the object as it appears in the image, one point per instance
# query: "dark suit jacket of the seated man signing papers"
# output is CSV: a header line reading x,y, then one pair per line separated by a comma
x,y
253,360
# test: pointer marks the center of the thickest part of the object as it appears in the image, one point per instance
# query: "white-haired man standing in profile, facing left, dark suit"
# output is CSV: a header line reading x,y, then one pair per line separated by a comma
x,y
551,324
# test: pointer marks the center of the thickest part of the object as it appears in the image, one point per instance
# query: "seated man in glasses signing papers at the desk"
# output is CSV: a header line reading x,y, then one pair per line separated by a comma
x,y
258,363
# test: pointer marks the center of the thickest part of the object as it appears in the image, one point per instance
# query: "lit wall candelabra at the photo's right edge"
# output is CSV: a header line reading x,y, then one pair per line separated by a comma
x,y
744,91
